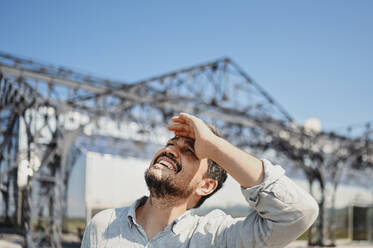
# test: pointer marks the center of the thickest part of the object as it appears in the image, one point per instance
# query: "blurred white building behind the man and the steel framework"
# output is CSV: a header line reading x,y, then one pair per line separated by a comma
x,y
110,171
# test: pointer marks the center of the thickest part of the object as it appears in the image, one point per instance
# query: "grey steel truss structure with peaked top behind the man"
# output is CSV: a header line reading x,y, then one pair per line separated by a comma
x,y
39,100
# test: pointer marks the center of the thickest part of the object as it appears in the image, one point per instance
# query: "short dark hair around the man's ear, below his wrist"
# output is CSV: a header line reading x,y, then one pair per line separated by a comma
x,y
214,171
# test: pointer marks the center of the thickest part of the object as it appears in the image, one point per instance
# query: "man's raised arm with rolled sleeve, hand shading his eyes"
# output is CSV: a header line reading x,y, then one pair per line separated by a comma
x,y
283,211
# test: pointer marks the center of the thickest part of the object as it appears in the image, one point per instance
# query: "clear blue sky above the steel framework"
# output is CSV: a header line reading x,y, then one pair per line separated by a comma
x,y
314,57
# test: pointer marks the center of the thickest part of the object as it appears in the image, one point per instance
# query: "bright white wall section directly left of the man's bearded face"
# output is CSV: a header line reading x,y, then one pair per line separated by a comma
x,y
113,181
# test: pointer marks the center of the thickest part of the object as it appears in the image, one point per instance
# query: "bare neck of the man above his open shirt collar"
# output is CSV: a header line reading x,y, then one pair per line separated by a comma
x,y
157,213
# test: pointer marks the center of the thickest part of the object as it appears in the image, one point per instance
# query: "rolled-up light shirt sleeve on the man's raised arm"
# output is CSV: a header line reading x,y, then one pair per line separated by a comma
x,y
281,212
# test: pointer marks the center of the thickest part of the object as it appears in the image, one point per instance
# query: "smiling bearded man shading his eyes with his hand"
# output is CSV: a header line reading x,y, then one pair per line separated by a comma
x,y
180,177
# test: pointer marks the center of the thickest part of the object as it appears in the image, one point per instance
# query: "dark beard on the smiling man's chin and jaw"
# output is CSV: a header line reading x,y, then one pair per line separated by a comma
x,y
164,187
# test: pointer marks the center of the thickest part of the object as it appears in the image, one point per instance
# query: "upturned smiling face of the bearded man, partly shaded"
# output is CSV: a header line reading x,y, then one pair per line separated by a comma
x,y
175,170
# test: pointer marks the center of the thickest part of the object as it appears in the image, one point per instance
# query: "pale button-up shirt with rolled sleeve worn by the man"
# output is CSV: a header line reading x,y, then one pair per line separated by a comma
x,y
280,211
